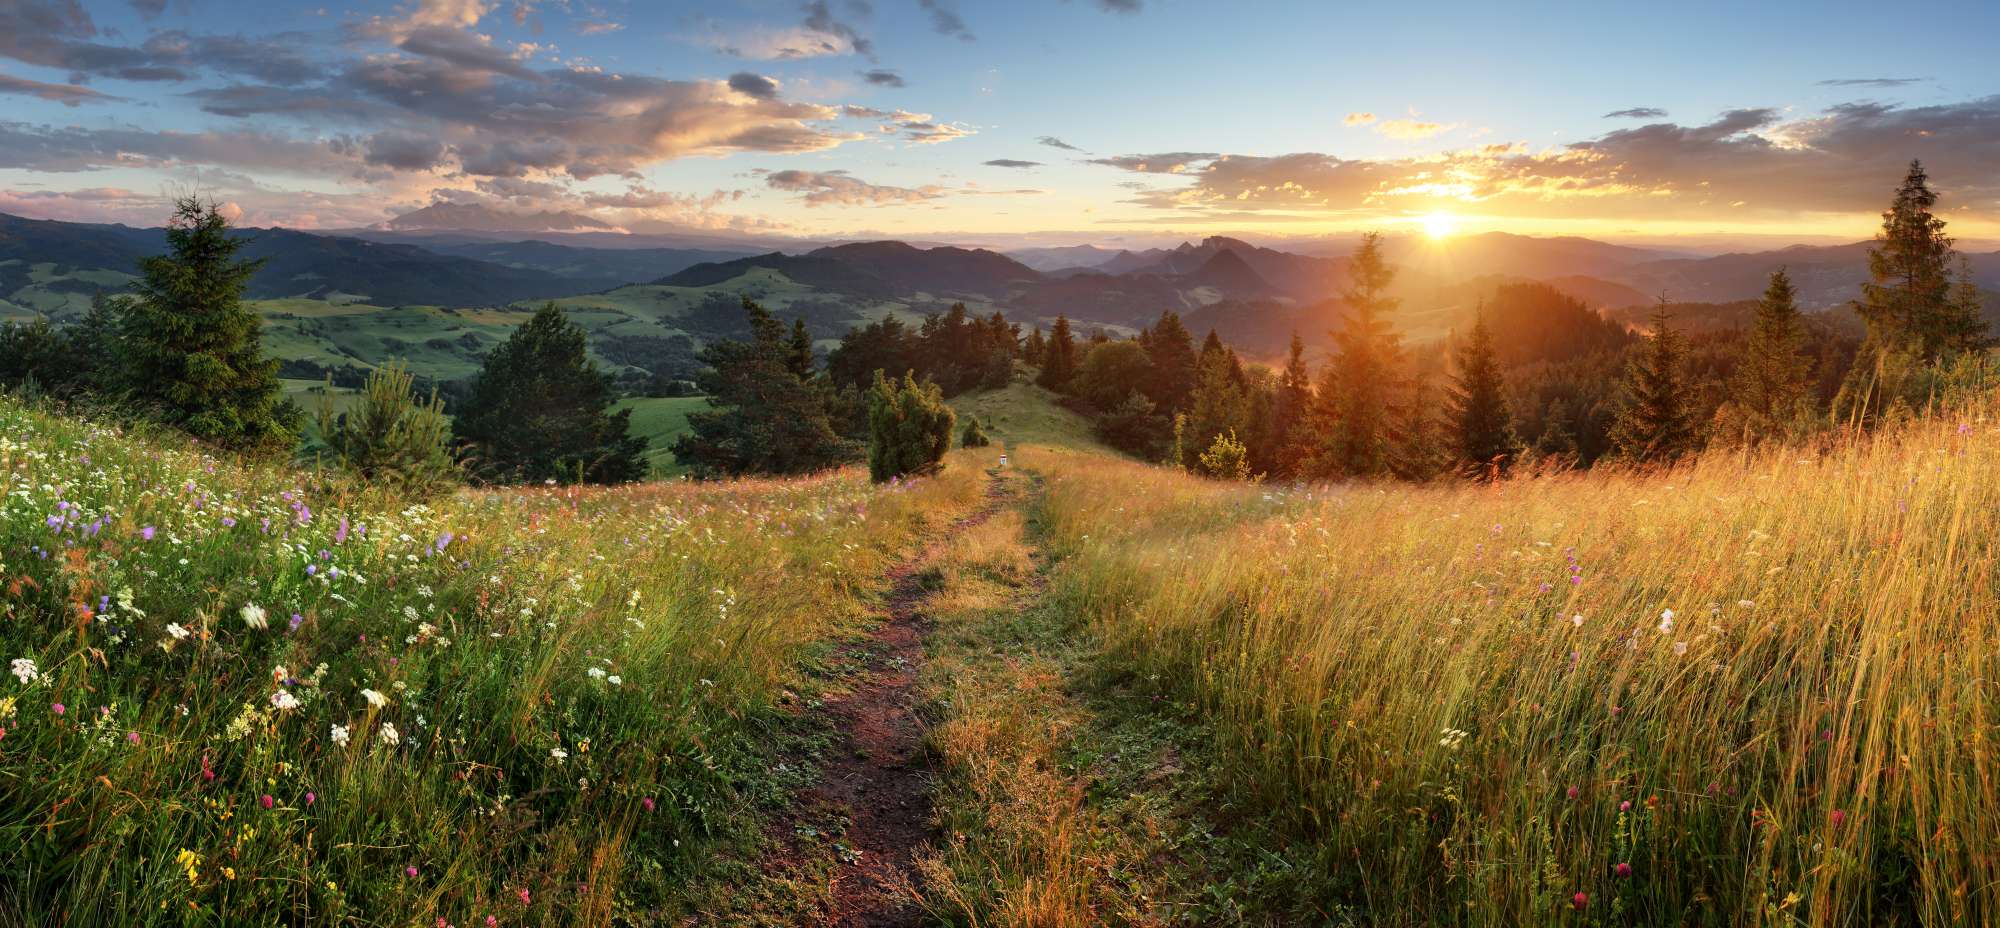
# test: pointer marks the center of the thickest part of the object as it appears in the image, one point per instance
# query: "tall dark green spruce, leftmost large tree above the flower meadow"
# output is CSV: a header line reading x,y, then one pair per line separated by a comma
x,y
193,351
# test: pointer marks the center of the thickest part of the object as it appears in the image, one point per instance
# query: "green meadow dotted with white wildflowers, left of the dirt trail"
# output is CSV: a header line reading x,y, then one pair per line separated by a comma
x,y
239,693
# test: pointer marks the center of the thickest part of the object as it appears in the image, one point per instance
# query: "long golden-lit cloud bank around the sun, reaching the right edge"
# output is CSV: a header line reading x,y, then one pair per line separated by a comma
x,y
1841,161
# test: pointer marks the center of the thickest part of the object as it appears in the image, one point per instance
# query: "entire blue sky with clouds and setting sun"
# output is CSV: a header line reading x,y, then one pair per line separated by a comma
x,y
1025,123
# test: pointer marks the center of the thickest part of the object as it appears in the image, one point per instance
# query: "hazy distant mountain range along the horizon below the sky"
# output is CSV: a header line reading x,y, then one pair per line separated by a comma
x,y
1249,293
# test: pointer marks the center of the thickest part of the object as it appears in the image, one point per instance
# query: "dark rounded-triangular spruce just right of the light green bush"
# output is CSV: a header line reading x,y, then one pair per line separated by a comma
x,y
543,411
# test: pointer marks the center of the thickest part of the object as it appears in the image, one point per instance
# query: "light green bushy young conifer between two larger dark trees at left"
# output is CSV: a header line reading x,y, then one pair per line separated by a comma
x,y
391,439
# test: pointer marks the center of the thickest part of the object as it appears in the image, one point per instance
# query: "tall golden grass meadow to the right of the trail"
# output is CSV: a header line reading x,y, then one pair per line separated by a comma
x,y
1747,691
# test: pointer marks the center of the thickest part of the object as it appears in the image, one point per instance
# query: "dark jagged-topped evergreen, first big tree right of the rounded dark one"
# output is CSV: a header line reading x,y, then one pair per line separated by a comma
x,y
765,419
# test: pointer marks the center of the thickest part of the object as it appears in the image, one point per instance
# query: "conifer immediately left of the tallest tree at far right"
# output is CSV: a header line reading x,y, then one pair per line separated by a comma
x,y
1773,387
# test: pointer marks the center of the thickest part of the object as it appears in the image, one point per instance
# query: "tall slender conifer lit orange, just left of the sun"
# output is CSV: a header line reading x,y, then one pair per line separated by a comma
x,y
1367,361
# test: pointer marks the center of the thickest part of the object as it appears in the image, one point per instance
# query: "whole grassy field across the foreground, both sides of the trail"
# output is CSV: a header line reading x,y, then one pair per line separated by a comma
x,y
1741,693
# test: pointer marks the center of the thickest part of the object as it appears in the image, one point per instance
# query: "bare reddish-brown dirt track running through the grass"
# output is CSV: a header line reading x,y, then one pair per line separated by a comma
x,y
877,773
